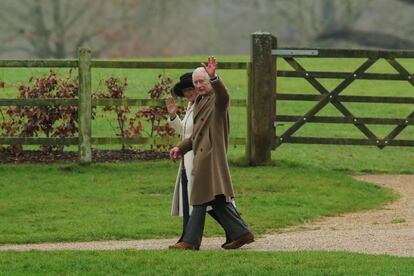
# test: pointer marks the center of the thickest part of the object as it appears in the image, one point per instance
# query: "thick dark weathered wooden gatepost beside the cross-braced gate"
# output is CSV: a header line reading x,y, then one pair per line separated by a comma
x,y
261,99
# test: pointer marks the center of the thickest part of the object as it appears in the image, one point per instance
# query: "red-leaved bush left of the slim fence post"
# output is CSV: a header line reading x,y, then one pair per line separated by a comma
x,y
43,120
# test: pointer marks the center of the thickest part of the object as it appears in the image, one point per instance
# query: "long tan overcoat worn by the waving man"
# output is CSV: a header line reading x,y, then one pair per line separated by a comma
x,y
209,142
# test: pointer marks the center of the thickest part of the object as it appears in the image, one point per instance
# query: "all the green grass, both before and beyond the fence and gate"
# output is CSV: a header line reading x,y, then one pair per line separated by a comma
x,y
65,202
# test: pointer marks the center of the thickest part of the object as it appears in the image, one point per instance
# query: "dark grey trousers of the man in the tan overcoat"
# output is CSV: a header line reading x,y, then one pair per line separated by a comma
x,y
226,214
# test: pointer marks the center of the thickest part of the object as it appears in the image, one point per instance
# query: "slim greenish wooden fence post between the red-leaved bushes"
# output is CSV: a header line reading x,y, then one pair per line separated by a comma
x,y
85,106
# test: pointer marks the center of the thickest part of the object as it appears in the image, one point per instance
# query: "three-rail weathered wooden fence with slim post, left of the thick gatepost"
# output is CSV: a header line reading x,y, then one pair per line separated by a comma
x,y
85,64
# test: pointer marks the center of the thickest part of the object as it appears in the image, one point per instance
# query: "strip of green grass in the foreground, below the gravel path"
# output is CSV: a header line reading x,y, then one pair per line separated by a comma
x,y
128,262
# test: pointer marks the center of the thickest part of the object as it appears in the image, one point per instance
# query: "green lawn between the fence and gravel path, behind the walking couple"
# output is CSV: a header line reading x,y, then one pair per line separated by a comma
x,y
64,202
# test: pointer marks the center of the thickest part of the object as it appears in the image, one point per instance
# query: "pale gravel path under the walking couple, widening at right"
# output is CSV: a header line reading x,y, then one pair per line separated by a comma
x,y
389,230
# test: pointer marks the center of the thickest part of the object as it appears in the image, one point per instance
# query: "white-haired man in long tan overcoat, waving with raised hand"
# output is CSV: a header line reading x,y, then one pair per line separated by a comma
x,y
211,177
